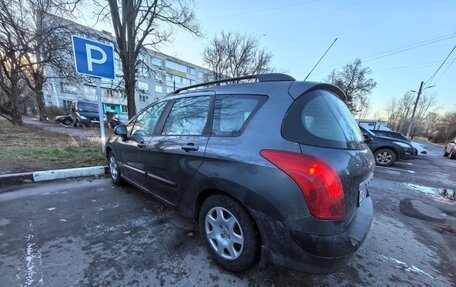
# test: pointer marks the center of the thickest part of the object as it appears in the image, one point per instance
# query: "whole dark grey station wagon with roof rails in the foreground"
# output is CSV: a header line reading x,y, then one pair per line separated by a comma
x,y
267,166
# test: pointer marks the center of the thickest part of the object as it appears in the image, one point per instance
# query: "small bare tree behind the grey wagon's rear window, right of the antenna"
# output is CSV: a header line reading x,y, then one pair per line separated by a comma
x,y
354,81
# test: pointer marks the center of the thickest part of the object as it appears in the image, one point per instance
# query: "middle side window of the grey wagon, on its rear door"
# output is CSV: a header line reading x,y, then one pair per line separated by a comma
x,y
188,116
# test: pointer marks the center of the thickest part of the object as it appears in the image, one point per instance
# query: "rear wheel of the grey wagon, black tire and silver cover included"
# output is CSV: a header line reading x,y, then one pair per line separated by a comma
x,y
229,233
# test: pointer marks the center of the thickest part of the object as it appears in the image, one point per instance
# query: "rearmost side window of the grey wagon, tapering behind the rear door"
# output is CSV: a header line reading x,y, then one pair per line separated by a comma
x,y
232,112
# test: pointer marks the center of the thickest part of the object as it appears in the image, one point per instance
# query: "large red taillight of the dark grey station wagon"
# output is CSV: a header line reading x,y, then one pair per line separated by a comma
x,y
318,181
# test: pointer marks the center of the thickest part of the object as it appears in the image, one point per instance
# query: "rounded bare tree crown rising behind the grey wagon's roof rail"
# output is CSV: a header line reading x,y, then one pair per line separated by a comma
x,y
235,55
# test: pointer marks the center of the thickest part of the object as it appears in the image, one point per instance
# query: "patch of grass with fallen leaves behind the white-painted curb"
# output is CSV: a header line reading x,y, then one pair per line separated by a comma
x,y
27,148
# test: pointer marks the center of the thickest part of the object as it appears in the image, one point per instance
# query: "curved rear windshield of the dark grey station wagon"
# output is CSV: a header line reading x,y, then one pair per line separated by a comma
x,y
320,118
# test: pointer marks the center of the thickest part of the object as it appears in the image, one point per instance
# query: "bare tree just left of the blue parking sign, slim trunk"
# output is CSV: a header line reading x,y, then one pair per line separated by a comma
x,y
39,40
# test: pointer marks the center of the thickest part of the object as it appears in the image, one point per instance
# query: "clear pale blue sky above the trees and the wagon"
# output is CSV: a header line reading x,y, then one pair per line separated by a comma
x,y
402,42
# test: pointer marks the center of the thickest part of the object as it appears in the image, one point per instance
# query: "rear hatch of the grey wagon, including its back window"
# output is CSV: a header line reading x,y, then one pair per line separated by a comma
x,y
324,127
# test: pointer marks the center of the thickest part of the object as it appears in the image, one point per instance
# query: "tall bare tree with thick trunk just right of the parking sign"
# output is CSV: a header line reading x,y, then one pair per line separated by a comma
x,y
141,23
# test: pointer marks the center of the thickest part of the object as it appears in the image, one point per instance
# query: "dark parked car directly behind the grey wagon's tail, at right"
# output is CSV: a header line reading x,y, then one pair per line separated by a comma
x,y
387,150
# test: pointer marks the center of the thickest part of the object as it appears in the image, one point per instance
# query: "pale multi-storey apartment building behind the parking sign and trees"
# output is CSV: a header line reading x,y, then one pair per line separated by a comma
x,y
157,75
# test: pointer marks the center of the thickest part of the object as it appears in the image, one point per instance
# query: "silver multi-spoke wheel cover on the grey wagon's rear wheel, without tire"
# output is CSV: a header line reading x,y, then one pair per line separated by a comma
x,y
224,233
